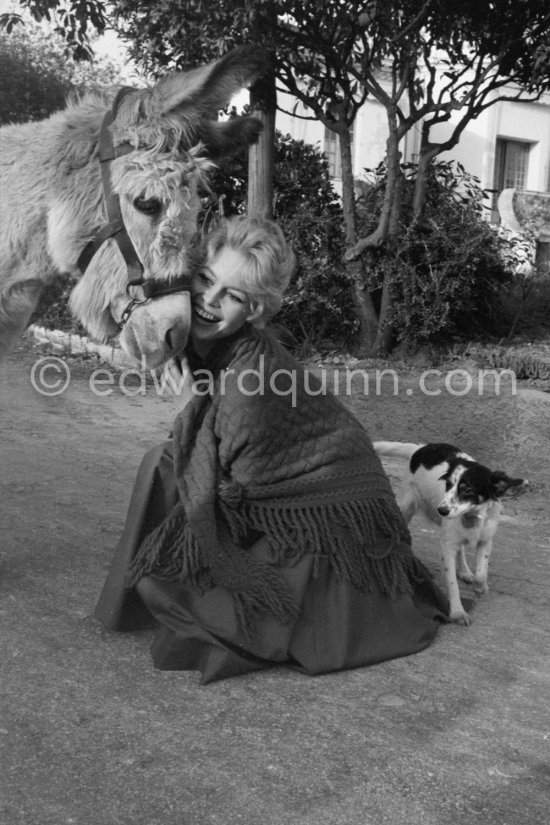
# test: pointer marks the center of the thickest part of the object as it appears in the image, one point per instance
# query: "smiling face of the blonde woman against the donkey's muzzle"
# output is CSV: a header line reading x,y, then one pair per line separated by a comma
x,y
220,304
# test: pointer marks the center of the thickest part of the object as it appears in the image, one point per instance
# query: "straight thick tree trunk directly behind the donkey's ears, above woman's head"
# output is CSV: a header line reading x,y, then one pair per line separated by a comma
x,y
263,102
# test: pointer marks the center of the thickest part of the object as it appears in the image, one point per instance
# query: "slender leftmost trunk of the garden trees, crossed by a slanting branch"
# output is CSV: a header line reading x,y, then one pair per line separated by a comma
x,y
364,306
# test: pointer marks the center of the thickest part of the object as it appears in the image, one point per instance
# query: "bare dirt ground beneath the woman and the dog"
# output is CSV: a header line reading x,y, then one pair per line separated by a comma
x,y
92,734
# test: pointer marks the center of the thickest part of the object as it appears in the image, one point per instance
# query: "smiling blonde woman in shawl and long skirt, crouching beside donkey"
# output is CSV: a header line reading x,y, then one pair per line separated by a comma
x,y
265,531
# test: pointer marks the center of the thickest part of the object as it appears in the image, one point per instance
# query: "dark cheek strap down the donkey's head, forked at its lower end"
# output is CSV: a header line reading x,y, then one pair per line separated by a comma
x,y
114,228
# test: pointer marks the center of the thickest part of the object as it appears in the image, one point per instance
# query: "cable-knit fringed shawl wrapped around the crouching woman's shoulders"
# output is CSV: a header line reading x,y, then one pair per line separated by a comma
x,y
263,451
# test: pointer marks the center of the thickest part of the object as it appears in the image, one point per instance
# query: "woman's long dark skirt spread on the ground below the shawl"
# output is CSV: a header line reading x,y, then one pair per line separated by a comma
x,y
337,626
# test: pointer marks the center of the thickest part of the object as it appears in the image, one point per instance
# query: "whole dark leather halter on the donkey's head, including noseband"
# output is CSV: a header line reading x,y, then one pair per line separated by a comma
x,y
115,229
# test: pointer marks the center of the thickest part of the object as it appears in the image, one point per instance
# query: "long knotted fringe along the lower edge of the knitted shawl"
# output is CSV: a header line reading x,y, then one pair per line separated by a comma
x,y
366,542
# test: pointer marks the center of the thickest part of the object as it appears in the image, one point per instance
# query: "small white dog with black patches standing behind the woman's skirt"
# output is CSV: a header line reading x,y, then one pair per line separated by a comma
x,y
463,497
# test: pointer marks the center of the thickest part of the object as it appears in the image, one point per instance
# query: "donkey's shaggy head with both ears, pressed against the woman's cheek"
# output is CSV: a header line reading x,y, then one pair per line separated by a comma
x,y
165,140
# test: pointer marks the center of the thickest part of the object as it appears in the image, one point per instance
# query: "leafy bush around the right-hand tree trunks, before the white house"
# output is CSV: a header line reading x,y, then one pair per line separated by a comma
x,y
446,269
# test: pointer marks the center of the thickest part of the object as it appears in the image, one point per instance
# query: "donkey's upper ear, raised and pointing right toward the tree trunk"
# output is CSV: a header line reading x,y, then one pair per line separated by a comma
x,y
206,90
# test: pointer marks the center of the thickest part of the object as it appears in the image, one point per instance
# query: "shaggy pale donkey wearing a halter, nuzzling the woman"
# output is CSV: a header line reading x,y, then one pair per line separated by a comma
x,y
156,147
